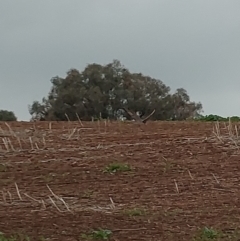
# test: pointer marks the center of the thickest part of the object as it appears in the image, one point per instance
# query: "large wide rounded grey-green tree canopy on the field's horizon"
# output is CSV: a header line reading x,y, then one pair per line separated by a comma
x,y
103,90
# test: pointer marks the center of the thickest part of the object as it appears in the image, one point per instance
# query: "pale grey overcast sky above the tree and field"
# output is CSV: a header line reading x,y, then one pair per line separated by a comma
x,y
194,44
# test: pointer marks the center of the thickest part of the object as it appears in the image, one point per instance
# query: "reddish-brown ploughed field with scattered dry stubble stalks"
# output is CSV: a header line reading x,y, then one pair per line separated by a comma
x,y
122,181
